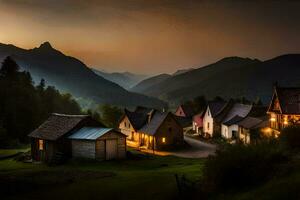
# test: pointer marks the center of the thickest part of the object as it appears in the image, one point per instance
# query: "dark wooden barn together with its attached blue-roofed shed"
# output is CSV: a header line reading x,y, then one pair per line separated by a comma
x,y
65,136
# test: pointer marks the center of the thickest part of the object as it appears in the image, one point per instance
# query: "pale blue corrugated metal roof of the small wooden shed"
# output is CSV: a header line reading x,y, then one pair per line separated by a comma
x,y
89,133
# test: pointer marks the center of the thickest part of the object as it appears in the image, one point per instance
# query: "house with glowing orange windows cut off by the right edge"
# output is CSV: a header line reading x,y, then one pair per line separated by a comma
x,y
284,108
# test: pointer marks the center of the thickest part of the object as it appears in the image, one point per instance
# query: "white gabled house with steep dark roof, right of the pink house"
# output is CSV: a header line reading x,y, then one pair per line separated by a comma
x,y
214,114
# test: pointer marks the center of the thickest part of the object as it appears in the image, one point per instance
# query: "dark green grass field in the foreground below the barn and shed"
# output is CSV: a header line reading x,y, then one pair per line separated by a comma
x,y
143,177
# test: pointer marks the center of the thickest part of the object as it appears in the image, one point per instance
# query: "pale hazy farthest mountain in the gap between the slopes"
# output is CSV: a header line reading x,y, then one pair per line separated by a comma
x,y
125,79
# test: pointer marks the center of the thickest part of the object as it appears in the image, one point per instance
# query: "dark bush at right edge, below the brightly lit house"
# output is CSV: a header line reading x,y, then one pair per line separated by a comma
x,y
290,137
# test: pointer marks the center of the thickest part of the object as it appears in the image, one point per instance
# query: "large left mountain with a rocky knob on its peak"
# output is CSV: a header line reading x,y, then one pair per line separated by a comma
x,y
69,74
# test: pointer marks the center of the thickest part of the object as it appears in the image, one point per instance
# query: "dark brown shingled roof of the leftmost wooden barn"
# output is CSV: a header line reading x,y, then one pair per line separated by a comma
x,y
57,125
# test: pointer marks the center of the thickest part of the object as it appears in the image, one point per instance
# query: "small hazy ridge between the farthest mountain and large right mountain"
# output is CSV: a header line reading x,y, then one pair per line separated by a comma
x,y
144,85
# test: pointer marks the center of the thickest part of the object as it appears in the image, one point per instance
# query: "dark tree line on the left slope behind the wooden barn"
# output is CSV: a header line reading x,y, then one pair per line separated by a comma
x,y
24,106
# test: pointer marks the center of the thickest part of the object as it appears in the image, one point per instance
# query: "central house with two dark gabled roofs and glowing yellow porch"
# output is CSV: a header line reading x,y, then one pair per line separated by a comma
x,y
151,129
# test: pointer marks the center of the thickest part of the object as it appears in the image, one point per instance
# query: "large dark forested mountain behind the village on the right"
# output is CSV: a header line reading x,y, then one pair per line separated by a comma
x,y
231,77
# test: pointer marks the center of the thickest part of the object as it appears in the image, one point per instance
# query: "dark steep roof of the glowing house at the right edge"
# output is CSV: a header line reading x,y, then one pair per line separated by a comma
x,y
289,100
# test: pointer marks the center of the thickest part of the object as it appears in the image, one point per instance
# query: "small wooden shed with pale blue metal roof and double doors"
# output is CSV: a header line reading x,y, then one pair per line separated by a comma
x,y
98,143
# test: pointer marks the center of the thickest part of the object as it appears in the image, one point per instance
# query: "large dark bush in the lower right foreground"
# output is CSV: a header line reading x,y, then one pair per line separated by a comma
x,y
238,166
